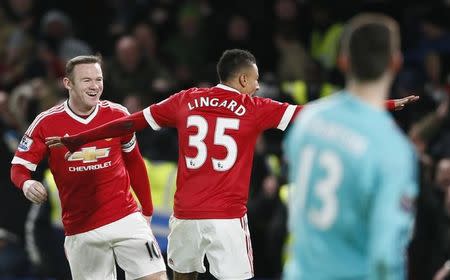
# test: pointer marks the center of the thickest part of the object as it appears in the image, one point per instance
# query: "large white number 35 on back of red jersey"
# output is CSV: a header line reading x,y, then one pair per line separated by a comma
x,y
220,139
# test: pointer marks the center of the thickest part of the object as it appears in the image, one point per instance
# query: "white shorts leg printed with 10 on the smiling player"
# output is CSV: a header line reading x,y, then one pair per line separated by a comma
x,y
135,247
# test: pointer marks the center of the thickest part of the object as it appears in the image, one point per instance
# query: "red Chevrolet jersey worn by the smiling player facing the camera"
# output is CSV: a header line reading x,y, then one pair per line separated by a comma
x,y
93,183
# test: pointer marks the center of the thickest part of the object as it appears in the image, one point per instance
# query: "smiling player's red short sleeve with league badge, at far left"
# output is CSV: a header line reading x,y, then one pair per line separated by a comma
x,y
32,148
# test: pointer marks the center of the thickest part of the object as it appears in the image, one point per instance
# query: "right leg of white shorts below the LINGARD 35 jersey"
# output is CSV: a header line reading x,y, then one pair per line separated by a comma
x,y
230,252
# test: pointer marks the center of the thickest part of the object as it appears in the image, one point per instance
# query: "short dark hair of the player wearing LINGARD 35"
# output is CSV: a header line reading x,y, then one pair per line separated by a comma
x,y
232,61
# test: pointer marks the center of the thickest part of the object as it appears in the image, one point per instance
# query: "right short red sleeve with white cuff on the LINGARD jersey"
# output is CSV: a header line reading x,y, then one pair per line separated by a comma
x,y
273,114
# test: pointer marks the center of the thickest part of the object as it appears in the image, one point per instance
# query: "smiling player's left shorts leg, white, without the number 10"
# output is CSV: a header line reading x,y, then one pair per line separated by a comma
x,y
89,256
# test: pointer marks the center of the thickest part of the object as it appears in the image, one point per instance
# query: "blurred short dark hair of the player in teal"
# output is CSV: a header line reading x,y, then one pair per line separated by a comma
x,y
370,40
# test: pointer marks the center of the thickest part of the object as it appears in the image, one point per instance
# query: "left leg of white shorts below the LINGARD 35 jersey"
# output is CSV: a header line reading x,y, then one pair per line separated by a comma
x,y
186,246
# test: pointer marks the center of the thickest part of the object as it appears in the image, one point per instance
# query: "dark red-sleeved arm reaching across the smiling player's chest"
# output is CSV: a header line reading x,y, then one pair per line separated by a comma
x,y
116,128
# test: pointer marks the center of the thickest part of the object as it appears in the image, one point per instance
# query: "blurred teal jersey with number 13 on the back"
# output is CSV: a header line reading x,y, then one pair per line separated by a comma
x,y
352,186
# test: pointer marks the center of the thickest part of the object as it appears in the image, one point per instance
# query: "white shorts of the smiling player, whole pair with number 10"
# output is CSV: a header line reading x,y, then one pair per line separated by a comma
x,y
129,241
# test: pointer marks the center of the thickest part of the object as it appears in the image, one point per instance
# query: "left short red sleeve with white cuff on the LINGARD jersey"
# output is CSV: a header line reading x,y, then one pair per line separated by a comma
x,y
163,113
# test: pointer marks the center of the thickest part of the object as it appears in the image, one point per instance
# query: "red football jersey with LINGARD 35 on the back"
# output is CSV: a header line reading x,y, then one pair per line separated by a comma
x,y
217,132
